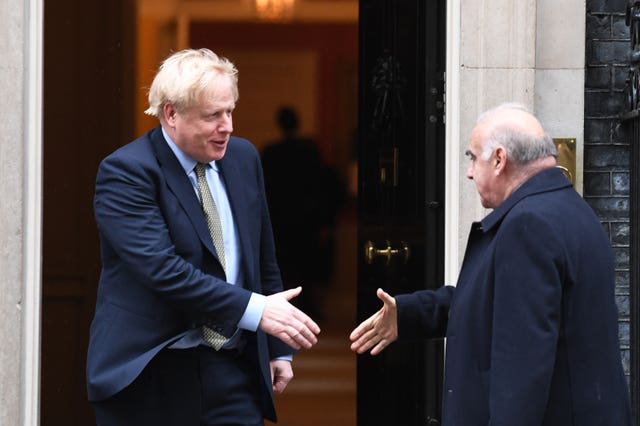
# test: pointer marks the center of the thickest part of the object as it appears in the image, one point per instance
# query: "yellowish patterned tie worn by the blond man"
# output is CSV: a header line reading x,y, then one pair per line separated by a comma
x,y
212,337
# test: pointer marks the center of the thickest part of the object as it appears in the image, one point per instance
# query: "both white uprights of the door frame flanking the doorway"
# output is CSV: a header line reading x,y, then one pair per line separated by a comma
x,y
32,191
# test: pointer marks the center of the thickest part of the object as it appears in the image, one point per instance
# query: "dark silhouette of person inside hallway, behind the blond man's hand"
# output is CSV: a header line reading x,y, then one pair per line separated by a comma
x,y
304,196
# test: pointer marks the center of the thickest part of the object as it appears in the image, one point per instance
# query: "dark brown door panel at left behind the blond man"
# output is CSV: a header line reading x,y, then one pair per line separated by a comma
x,y
87,113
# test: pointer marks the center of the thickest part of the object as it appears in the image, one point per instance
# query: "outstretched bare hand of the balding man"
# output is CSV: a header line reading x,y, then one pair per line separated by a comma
x,y
379,330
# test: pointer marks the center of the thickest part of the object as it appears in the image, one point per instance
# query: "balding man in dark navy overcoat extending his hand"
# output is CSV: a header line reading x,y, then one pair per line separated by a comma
x,y
531,327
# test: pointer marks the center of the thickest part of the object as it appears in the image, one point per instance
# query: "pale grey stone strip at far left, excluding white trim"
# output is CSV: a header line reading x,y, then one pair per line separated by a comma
x,y
11,206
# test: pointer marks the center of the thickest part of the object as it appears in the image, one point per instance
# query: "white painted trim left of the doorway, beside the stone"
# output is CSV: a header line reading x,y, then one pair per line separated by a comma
x,y
32,244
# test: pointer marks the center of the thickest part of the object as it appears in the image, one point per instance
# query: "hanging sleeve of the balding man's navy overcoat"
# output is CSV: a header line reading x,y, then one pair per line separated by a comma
x,y
526,317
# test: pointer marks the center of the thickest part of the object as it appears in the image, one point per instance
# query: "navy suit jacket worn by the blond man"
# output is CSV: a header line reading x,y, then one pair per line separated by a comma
x,y
160,272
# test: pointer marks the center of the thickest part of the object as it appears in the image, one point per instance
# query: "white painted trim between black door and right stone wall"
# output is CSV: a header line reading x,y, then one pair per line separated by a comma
x,y
452,145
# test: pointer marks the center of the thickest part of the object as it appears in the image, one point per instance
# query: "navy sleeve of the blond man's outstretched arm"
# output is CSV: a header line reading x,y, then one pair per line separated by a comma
x,y
136,237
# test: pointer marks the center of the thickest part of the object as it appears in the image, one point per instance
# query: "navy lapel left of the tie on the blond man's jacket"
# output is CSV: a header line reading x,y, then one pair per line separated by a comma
x,y
179,184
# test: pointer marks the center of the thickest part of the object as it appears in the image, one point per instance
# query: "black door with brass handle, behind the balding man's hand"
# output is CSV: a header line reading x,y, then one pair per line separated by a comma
x,y
401,197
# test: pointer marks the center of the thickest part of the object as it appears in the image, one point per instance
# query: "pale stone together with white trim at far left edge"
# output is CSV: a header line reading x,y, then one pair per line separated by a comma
x,y
20,171
